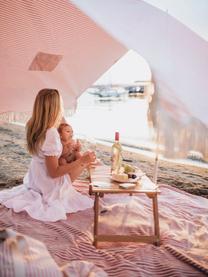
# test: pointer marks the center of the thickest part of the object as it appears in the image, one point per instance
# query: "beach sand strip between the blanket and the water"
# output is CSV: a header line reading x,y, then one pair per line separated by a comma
x,y
15,160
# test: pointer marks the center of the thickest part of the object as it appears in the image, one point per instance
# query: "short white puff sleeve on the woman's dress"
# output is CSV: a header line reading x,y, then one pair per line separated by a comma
x,y
52,145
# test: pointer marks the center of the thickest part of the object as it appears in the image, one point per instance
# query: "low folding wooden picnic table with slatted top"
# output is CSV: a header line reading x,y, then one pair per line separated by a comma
x,y
100,175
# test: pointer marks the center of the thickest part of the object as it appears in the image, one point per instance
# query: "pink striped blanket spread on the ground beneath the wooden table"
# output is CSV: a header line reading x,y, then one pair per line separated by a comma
x,y
183,225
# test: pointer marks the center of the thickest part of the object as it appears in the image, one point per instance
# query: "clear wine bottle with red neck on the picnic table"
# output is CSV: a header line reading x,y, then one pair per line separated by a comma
x,y
116,155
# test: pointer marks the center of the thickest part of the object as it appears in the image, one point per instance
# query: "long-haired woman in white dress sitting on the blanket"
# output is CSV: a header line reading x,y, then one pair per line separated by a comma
x,y
47,193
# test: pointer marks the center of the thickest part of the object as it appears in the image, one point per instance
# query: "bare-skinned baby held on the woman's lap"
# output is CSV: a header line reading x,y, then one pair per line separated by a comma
x,y
71,148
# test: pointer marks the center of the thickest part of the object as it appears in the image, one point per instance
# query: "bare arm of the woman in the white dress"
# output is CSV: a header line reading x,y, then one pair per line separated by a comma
x,y
74,169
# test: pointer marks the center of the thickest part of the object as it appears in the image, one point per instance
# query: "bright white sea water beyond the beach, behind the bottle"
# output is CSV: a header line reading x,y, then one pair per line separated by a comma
x,y
97,119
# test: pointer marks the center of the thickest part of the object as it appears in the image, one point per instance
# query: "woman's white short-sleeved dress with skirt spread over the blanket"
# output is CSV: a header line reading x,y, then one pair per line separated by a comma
x,y
42,197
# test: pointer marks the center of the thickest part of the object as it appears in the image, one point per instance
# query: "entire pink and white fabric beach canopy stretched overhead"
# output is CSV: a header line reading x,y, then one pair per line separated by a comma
x,y
70,44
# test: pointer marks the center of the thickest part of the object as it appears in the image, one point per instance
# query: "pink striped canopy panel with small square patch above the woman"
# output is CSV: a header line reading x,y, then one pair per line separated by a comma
x,y
50,43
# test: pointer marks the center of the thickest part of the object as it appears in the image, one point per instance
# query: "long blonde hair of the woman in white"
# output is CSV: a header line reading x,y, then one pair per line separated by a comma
x,y
47,111
